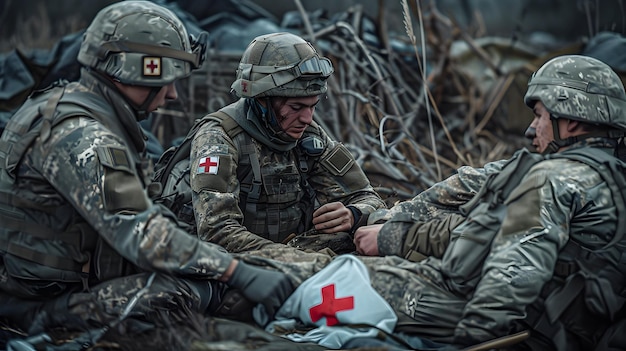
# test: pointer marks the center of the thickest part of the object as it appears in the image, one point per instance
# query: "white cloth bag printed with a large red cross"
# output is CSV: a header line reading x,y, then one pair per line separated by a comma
x,y
340,301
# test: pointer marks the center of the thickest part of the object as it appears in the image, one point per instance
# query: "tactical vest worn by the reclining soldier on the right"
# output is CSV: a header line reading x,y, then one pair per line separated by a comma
x,y
564,305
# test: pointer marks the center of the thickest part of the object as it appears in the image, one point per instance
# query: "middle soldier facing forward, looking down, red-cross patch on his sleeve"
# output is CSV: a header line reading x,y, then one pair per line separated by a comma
x,y
262,170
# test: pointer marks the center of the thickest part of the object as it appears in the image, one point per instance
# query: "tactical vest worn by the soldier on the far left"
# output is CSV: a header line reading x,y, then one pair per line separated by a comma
x,y
41,261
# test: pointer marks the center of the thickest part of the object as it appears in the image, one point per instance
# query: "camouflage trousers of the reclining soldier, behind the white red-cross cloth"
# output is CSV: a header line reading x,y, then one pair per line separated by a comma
x,y
415,290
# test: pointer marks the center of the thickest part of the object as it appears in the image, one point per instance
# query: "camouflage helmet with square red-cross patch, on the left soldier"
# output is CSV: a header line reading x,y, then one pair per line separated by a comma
x,y
141,43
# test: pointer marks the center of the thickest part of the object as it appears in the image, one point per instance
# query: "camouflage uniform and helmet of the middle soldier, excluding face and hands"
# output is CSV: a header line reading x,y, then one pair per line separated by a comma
x,y
293,179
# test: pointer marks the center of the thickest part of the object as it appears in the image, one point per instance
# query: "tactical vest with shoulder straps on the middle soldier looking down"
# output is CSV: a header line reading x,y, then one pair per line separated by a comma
x,y
273,206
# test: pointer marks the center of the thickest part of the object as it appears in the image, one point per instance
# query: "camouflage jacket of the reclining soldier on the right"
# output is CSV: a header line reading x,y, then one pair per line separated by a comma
x,y
506,250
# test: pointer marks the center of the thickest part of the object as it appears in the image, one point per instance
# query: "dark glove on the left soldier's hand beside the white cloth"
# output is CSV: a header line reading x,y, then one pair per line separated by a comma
x,y
270,288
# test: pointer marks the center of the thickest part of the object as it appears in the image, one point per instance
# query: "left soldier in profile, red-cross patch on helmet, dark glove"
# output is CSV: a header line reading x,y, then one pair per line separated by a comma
x,y
79,236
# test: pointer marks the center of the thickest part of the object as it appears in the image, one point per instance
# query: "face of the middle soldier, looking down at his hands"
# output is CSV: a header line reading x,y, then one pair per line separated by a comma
x,y
295,114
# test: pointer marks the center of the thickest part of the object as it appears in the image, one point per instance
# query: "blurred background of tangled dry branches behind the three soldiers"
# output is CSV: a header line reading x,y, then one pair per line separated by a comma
x,y
420,87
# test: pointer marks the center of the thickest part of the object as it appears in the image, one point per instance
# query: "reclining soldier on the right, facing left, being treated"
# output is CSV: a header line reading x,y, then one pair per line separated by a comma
x,y
541,244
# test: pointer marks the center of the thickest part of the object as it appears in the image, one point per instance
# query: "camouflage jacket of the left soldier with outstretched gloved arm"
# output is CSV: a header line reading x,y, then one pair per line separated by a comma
x,y
81,187
